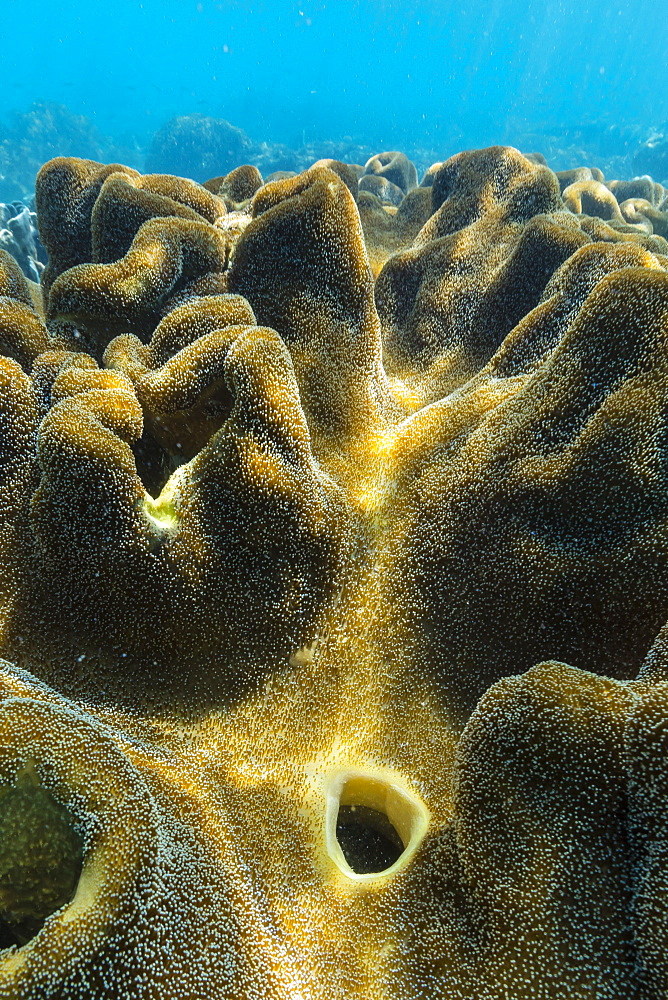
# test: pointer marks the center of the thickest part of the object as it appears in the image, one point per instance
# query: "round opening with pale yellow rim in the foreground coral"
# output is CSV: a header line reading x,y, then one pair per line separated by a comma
x,y
374,825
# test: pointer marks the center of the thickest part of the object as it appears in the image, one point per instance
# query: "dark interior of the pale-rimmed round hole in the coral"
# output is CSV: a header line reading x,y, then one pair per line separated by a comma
x,y
367,838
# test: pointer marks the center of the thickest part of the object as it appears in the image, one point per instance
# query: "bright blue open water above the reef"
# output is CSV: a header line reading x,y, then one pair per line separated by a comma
x,y
413,75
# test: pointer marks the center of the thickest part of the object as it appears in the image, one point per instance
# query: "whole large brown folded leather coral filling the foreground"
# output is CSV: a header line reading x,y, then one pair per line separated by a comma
x,y
343,590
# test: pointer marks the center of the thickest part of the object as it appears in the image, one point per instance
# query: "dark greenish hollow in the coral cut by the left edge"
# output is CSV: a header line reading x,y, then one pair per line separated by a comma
x,y
41,857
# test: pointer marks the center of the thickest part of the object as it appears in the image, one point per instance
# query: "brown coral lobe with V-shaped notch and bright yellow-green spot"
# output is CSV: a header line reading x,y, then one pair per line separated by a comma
x,y
239,575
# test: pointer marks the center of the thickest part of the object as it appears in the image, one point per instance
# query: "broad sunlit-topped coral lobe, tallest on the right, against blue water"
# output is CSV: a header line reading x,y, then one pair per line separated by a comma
x,y
479,264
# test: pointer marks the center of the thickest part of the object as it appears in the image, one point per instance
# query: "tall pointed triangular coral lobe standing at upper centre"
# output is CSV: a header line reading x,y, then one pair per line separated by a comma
x,y
323,306
